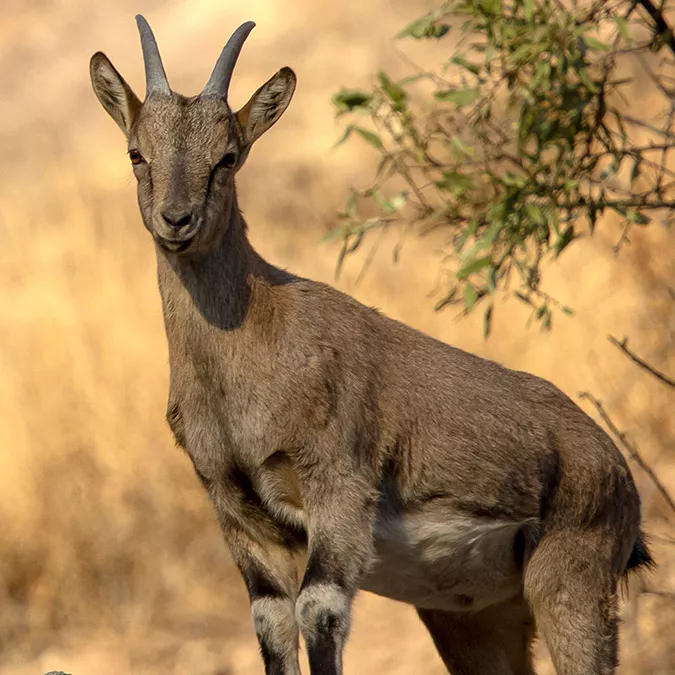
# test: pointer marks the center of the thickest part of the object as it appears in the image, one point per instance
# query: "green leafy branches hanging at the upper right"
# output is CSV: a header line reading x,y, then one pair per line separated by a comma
x,y
518,143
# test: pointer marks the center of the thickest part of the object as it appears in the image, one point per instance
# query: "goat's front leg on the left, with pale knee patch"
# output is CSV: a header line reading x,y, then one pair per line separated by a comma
x,y
269,571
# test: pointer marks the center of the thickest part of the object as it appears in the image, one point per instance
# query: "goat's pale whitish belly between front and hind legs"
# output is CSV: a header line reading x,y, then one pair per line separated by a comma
x,y
455,564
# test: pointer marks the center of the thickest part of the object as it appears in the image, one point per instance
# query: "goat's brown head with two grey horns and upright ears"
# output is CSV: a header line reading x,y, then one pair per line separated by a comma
x,y
186,151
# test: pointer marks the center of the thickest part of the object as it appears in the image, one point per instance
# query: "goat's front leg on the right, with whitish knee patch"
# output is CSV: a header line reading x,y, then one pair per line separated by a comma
x,y
340,521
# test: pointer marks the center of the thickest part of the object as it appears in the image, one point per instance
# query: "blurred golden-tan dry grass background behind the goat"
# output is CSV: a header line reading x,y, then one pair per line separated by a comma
x,y
110,558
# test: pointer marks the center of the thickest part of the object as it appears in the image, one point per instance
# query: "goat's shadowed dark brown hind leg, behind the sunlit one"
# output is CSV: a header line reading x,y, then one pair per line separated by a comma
x,y
495,641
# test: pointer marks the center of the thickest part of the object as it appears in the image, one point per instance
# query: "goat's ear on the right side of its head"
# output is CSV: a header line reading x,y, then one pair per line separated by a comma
x,y
267,105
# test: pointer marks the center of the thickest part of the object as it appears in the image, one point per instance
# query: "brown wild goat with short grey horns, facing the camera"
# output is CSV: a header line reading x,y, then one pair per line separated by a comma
x,y
481,495
